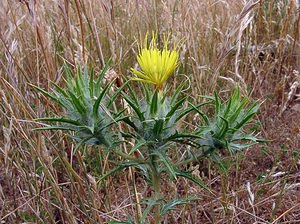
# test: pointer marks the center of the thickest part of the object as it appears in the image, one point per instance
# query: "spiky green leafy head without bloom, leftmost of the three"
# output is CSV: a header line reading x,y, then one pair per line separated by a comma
x,y
85,106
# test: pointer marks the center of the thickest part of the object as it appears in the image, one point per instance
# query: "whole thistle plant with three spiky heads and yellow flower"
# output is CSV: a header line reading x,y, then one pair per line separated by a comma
x,y
152,122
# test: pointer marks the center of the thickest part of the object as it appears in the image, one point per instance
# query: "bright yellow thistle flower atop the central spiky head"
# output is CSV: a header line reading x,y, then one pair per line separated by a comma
x,y
156,65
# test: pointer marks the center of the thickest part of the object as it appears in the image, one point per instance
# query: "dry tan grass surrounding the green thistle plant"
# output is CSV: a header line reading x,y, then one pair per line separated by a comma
x,y
254,44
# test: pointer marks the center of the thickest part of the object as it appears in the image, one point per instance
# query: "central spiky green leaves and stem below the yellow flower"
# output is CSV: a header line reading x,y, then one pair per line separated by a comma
x,y
154,130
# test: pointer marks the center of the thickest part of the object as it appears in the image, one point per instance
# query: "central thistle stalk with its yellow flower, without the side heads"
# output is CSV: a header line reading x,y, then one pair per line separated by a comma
x,y
154,121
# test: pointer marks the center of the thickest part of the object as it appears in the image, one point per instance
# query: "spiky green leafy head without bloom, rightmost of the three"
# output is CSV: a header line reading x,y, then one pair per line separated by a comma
x,y
227,129
